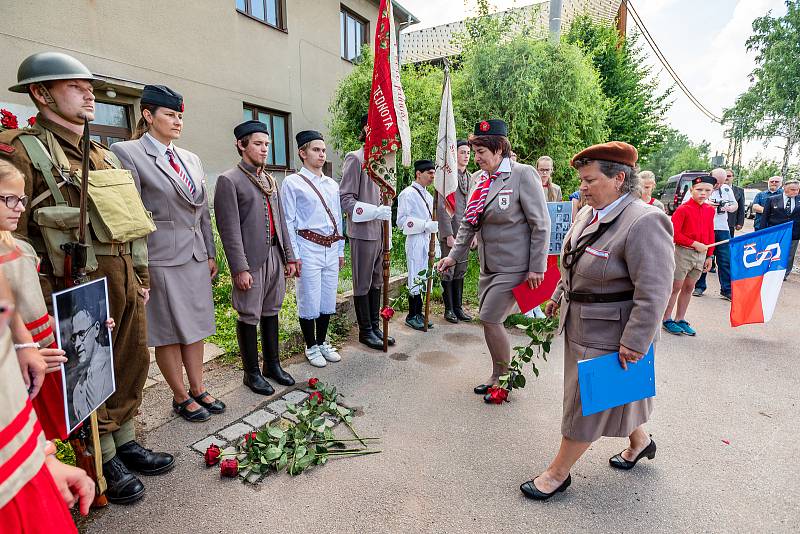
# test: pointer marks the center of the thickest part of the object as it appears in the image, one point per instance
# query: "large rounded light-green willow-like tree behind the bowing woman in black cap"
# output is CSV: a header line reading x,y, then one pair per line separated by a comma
x,y
550,95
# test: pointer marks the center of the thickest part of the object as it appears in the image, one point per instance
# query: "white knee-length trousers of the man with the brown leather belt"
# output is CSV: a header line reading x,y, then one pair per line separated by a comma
x,y
319,279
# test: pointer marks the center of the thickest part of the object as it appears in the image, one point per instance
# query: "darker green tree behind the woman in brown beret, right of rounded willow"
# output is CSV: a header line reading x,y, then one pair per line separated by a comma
x,y
637,108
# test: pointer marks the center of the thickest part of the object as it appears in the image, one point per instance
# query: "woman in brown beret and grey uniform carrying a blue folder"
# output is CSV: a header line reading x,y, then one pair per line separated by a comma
x,y
616,278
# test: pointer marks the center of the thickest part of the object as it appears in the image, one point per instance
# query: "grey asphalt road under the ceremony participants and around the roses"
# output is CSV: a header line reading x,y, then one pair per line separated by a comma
x,y
726,424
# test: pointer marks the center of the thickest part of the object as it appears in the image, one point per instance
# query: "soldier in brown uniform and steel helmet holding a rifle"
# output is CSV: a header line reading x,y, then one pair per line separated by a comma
x,y
62,89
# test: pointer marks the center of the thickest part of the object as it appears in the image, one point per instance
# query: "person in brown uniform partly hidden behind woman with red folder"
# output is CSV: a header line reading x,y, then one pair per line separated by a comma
x,y
453,280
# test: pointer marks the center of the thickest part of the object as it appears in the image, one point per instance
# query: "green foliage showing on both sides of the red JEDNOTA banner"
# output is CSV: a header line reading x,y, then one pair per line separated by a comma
x,y
422,85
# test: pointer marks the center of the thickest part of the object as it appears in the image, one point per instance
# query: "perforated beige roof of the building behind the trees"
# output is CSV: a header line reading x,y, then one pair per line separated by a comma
x,y
438,42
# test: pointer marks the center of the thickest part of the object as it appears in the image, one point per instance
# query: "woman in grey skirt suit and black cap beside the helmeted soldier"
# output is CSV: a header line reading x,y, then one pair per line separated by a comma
x,y
180,311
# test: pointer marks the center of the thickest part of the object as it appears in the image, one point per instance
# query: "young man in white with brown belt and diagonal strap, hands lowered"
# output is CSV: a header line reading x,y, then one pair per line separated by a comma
x,y
314,219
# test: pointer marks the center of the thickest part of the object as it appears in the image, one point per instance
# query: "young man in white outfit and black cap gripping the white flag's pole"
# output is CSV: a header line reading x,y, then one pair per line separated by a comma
x,y
415,219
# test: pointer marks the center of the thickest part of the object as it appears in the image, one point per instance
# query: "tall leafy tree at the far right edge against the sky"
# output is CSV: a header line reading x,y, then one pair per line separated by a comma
x,y
771,106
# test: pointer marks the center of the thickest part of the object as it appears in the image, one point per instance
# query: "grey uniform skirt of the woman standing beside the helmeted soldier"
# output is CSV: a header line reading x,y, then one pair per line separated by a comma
x,y
181,308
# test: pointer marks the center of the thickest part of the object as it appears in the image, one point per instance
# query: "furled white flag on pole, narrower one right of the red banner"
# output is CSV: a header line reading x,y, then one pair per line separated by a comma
x,y
446,180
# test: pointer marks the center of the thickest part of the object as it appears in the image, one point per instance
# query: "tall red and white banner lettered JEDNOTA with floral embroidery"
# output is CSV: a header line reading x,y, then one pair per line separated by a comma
x,y
387,127
